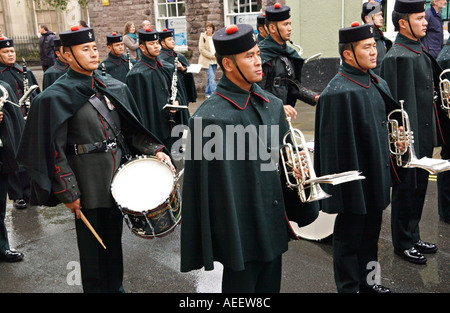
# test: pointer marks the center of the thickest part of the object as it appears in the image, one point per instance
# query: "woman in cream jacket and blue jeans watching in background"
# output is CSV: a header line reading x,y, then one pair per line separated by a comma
x,y
207,58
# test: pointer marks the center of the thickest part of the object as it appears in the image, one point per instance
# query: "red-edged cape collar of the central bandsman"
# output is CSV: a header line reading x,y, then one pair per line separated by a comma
x,y
238,96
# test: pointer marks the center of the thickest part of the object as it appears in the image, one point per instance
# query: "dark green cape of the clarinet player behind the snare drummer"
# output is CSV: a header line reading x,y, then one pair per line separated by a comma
x,y
150,83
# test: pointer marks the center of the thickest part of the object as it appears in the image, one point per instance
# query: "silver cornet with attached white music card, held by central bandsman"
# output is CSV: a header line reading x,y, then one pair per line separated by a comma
x,y
292,158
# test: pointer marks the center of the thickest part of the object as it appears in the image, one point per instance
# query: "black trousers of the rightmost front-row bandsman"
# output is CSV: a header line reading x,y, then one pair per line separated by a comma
x,y
406,211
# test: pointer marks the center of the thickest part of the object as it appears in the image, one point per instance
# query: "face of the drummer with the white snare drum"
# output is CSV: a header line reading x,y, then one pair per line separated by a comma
x,y
87,56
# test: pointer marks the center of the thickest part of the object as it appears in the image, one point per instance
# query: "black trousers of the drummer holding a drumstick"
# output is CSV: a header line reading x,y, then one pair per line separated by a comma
x,y
101,270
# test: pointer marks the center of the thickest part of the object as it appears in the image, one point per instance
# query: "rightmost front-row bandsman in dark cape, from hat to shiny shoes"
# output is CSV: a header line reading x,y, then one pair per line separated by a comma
x,y
413,75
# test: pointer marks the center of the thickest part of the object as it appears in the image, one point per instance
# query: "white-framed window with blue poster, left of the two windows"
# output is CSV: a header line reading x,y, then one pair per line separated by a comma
x,y
171,14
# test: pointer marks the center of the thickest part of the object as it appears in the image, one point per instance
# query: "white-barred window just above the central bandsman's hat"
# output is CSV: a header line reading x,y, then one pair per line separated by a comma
x,y
242,11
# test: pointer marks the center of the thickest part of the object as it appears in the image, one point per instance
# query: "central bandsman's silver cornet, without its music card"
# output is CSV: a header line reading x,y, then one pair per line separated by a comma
x,y
291,158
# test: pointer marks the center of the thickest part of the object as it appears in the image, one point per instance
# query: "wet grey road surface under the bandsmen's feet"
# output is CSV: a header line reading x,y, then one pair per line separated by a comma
x,y
47,237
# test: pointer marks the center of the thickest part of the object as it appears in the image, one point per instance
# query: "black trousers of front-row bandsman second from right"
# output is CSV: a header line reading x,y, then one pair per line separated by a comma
x,y
355,244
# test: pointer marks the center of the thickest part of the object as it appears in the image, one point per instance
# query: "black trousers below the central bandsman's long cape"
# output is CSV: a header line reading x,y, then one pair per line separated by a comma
x,y
257,277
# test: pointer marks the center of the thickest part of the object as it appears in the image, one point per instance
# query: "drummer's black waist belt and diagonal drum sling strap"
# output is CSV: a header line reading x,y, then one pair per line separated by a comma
x,y
105,145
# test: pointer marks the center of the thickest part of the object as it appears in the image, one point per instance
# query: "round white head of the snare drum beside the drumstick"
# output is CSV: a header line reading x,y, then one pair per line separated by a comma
x,y
142,184
